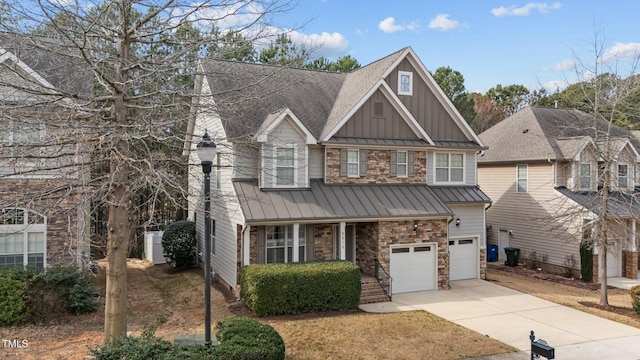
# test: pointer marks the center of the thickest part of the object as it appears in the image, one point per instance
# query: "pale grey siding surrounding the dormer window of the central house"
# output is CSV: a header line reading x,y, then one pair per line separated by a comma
x,y
285,134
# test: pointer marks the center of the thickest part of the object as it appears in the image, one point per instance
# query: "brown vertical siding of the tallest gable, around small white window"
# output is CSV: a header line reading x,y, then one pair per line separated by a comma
x,y
425,106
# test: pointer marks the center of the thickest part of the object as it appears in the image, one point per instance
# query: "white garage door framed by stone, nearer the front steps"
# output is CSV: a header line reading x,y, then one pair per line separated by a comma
x,y
413,268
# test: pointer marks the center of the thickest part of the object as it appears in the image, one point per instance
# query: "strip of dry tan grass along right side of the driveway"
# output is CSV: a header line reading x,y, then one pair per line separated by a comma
x,y
586,300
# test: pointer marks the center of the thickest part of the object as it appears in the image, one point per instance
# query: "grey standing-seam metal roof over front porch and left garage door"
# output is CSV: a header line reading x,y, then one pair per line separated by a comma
x,y
323,202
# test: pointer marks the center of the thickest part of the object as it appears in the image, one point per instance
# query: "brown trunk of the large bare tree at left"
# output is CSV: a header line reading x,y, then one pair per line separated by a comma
x,y
115,315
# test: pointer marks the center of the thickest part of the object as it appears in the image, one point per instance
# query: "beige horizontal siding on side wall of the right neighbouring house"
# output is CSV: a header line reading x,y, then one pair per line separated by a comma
x,y
532,216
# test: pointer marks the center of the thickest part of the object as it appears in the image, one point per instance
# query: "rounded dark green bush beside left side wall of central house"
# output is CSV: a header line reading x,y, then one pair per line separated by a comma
x,y
179,244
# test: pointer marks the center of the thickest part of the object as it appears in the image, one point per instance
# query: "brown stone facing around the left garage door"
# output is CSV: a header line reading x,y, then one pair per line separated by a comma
x,y
429,231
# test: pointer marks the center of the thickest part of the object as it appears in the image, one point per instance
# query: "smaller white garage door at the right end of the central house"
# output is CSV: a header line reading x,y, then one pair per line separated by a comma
x,y
463,259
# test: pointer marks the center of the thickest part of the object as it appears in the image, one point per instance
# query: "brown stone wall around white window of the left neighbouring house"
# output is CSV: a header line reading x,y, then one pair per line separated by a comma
x,y
67,222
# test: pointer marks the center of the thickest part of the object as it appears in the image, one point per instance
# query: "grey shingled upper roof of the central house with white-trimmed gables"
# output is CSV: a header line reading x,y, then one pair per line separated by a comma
x,y
246,96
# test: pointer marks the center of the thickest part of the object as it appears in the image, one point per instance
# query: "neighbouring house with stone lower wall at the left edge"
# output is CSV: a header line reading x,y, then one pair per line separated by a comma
x,y
43,218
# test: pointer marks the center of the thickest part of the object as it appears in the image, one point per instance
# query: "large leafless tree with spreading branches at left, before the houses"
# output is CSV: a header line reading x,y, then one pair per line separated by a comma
x,y
142,59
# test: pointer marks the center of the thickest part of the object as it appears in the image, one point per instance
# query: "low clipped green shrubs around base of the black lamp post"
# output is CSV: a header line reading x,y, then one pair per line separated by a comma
x,y
239,338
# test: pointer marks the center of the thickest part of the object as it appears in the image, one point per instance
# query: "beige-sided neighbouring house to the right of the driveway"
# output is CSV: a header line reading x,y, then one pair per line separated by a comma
x,y
542,169
